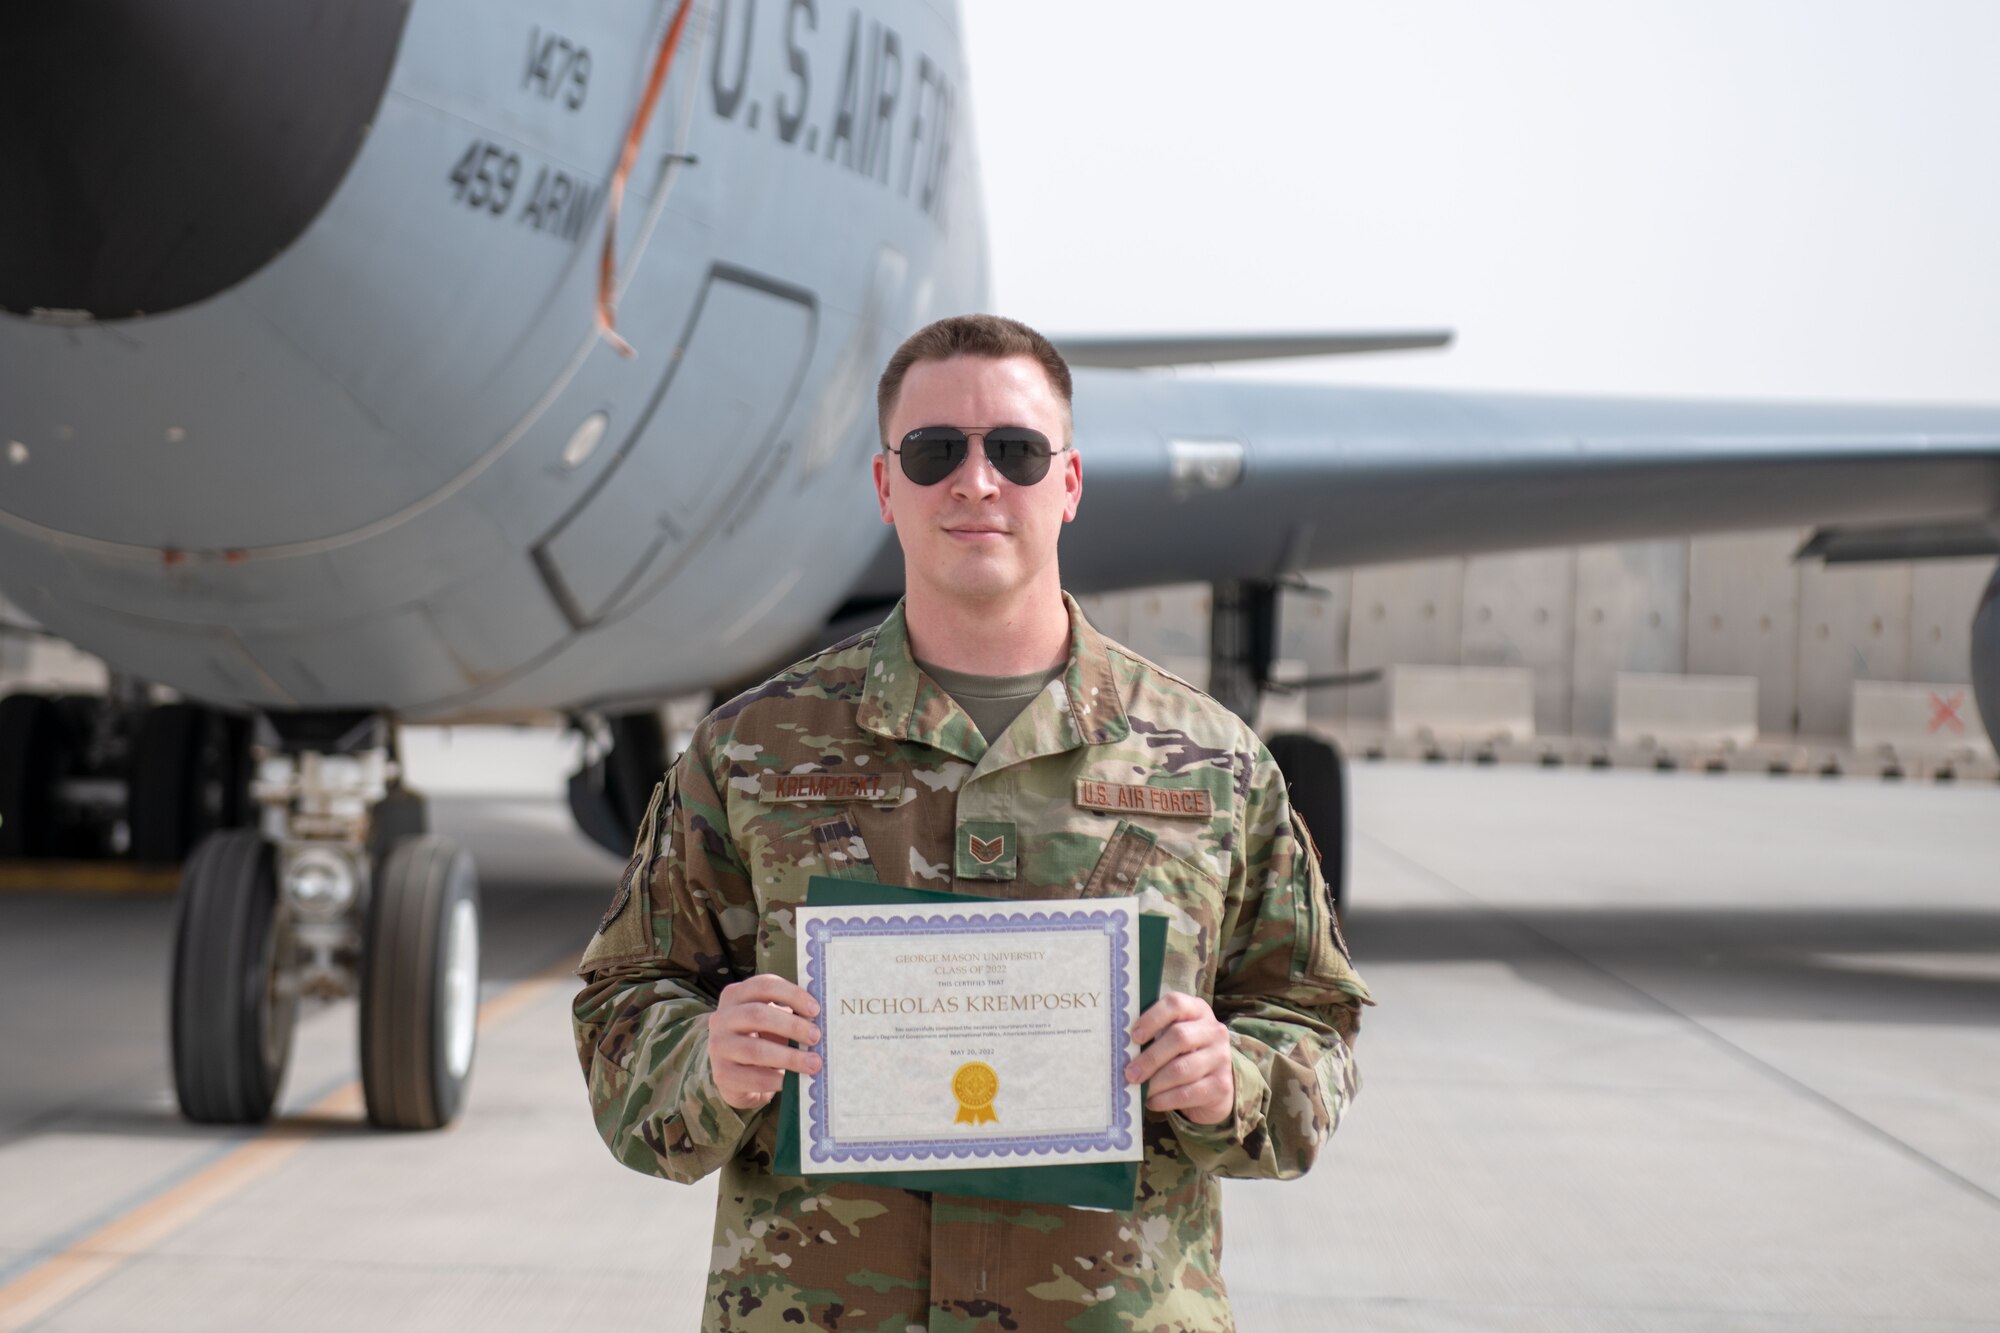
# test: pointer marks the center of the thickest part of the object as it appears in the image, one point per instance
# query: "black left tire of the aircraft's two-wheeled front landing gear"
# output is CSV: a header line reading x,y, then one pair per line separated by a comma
x,y
233,1014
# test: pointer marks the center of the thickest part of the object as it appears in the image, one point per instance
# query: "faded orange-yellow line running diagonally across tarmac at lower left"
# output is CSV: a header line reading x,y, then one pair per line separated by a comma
x,y
129,1236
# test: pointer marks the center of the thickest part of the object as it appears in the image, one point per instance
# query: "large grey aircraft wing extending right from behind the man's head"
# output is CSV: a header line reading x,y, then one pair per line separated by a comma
x,y
1195,479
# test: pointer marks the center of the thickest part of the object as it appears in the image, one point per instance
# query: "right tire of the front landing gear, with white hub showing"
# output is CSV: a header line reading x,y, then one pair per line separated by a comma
x,y
421,986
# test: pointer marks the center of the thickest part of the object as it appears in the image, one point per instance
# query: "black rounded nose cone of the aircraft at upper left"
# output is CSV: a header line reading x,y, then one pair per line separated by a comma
x,y
161,153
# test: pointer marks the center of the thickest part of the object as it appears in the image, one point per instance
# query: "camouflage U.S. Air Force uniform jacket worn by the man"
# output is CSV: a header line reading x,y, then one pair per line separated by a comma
x,y
725,856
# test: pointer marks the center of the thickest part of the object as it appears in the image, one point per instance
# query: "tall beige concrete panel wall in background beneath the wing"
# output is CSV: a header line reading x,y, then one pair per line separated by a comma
x,y
1579,617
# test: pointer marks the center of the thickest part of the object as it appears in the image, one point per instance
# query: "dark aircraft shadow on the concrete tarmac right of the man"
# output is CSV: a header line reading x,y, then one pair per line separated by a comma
x,y
1877,966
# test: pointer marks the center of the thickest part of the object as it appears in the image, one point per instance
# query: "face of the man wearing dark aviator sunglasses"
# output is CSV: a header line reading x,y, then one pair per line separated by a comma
x,y
977,535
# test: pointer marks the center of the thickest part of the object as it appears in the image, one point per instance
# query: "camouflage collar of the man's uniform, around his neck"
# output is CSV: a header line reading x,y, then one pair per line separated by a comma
x,y
1081,708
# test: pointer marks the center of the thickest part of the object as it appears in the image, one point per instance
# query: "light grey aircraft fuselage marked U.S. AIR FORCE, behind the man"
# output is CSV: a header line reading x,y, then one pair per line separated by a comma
x,y
397,467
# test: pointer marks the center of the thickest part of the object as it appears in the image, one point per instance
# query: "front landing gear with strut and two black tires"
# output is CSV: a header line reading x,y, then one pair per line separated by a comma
x,y
339,894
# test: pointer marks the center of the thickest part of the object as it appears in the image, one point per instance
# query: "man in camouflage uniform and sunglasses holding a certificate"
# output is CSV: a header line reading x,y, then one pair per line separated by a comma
x,y
1113,778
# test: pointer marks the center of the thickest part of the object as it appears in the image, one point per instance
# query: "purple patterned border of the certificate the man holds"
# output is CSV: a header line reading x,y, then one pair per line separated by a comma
x,y
1115,924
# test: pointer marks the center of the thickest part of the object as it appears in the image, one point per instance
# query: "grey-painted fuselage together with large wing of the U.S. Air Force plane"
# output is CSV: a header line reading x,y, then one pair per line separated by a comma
x,y
341,481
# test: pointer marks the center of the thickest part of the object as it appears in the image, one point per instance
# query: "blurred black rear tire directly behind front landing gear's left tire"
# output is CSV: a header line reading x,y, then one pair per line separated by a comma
x,y
191,776
